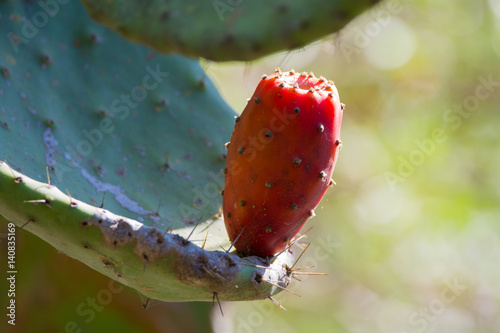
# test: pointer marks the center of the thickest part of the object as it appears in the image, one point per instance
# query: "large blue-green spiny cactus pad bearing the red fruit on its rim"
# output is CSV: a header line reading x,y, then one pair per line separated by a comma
x,y
89,119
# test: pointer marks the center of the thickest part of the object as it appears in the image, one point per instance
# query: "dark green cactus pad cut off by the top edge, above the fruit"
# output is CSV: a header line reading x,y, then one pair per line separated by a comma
x,y
223,30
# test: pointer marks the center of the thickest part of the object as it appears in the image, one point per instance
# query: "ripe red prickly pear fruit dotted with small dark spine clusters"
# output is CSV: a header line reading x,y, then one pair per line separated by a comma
x,y
280,160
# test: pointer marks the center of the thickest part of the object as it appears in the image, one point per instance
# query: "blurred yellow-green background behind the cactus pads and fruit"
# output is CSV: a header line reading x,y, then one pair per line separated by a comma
x,y
408,236
